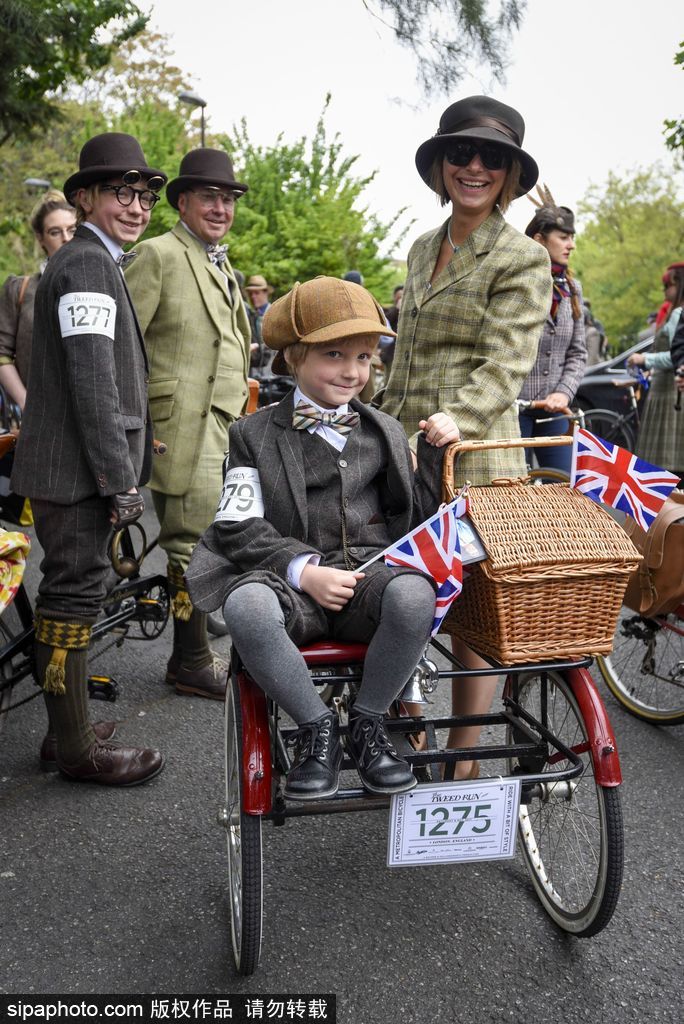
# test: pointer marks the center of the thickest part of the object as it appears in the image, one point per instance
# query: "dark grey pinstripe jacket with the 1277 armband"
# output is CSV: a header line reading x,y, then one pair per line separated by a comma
x,y
84,430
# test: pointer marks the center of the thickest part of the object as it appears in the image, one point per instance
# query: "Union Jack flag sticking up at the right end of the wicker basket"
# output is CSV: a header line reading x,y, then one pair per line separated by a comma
x,y
608,474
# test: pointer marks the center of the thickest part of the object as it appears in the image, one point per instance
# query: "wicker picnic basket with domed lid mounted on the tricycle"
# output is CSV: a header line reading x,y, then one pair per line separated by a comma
x,y
557,570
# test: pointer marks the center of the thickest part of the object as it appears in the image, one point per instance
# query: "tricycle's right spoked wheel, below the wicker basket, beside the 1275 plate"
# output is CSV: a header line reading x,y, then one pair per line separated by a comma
x,y
571,834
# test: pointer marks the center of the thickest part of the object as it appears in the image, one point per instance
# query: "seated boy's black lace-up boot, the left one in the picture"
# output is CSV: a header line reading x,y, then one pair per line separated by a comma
x,y
319,755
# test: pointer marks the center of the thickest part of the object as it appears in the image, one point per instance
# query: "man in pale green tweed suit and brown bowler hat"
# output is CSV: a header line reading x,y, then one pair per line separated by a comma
x,y
198,339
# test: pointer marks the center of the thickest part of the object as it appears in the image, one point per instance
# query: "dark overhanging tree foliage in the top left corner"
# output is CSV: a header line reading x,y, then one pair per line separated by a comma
x,y
47,45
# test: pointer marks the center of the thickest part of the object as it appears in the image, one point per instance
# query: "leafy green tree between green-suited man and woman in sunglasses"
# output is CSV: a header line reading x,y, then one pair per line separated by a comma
x,y
304,215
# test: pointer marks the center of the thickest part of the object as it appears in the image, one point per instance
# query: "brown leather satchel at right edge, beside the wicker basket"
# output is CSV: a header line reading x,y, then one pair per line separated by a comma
x,y
657,587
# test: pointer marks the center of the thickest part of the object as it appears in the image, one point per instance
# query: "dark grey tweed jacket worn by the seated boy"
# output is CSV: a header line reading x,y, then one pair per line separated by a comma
x,y
268,442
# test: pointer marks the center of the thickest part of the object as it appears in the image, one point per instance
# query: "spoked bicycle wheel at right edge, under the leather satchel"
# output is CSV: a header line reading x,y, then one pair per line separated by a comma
x,y
646,671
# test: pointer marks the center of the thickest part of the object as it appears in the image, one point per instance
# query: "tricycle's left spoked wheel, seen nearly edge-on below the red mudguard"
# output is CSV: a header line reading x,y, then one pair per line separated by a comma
x,y
244,838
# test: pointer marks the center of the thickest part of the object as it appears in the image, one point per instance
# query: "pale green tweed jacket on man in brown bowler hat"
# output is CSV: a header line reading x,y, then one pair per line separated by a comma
x,y
198,339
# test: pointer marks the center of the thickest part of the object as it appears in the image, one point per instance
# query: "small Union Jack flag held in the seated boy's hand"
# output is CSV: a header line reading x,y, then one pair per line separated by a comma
x,y
435,549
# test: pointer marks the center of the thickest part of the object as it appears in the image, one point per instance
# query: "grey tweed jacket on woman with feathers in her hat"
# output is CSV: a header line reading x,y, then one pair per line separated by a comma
x,y
562,357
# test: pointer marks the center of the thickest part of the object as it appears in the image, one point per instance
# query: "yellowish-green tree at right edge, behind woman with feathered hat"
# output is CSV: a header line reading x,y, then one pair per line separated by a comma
x,y
634,228
